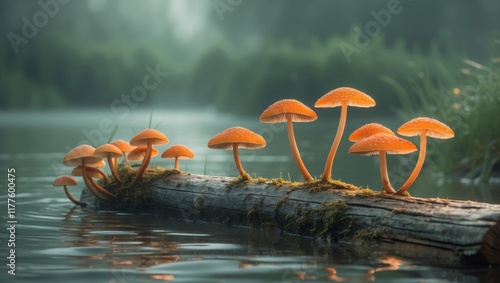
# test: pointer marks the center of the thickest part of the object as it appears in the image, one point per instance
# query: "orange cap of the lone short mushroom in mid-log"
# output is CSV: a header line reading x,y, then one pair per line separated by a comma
x,y
239,135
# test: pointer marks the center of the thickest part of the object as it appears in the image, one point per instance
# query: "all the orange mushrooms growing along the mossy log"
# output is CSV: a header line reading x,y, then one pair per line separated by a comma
x,y
369,139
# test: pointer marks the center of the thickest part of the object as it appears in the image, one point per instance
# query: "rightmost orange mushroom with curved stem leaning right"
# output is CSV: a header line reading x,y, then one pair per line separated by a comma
x,y
424,127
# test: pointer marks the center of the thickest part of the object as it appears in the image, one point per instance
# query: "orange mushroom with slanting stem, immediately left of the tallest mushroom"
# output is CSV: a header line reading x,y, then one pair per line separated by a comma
x,y
289,111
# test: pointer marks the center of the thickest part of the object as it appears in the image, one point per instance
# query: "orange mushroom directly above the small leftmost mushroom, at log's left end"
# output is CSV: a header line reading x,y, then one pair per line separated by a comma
x,y
83,155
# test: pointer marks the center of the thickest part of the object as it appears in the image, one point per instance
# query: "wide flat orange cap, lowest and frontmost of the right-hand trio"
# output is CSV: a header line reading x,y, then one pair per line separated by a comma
x,y
391,144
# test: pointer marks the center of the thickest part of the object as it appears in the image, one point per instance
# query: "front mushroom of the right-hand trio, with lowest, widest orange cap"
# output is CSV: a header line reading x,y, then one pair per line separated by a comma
x,y
383,144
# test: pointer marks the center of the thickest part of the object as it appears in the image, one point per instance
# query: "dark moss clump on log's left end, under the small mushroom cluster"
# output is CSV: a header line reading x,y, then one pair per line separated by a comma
x,y
132,194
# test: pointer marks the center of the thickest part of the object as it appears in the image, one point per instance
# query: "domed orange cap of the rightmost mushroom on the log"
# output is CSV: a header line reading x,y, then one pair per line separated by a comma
x,y
433,128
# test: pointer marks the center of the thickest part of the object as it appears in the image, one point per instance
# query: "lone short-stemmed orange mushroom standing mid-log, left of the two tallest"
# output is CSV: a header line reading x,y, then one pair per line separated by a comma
x,y
234,138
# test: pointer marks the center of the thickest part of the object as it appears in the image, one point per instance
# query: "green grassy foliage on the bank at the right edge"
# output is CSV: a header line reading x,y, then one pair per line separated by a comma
x,y
468,102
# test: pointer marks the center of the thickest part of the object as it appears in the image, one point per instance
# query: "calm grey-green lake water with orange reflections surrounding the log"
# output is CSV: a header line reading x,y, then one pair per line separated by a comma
x,y
57,242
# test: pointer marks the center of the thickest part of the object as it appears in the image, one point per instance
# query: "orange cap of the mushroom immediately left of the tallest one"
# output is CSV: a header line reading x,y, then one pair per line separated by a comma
x,y
276,112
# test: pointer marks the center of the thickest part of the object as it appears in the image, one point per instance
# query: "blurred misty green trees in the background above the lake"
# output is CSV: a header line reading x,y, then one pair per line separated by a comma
x,y
236,56
